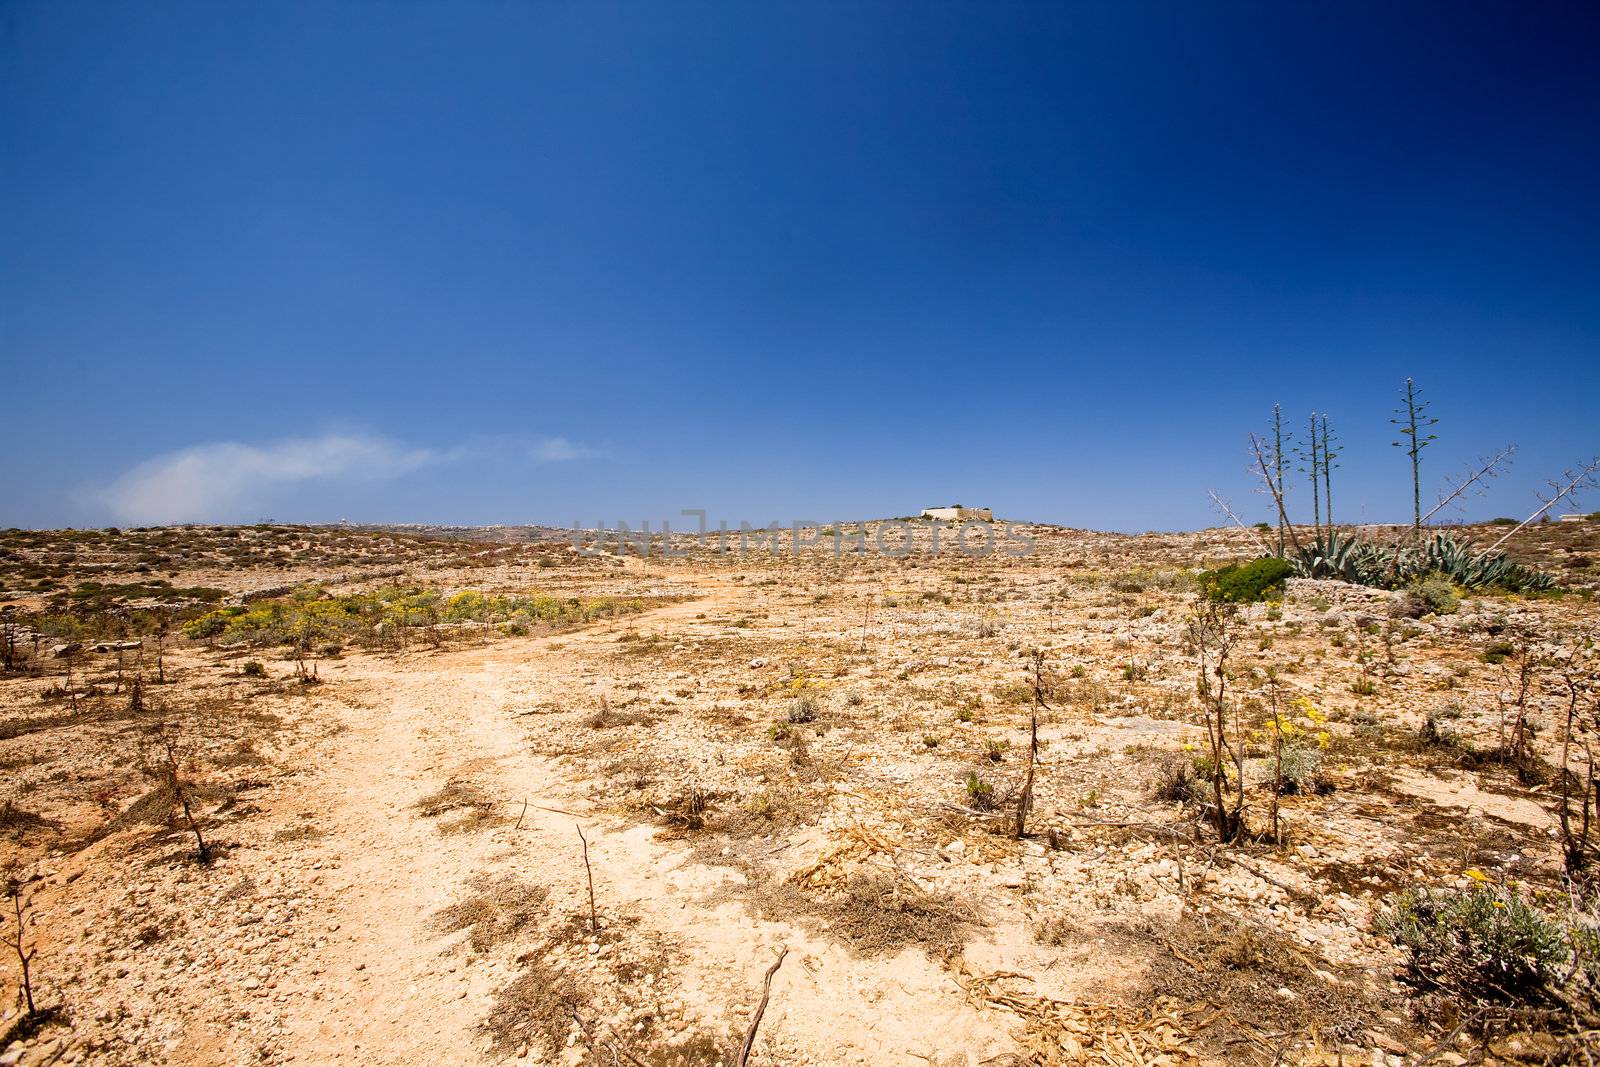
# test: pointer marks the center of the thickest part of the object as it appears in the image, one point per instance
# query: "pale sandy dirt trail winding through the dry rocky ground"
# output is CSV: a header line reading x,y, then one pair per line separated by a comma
x,y
386,988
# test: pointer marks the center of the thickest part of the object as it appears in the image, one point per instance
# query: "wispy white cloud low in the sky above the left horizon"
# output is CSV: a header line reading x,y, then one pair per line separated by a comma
x,y
226,479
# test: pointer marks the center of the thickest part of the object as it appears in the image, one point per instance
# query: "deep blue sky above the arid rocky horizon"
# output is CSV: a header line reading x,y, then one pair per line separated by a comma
x,y
537,263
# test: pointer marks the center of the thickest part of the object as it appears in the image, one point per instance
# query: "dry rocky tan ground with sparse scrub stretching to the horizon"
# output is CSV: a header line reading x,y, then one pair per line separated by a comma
x,y
591,842
